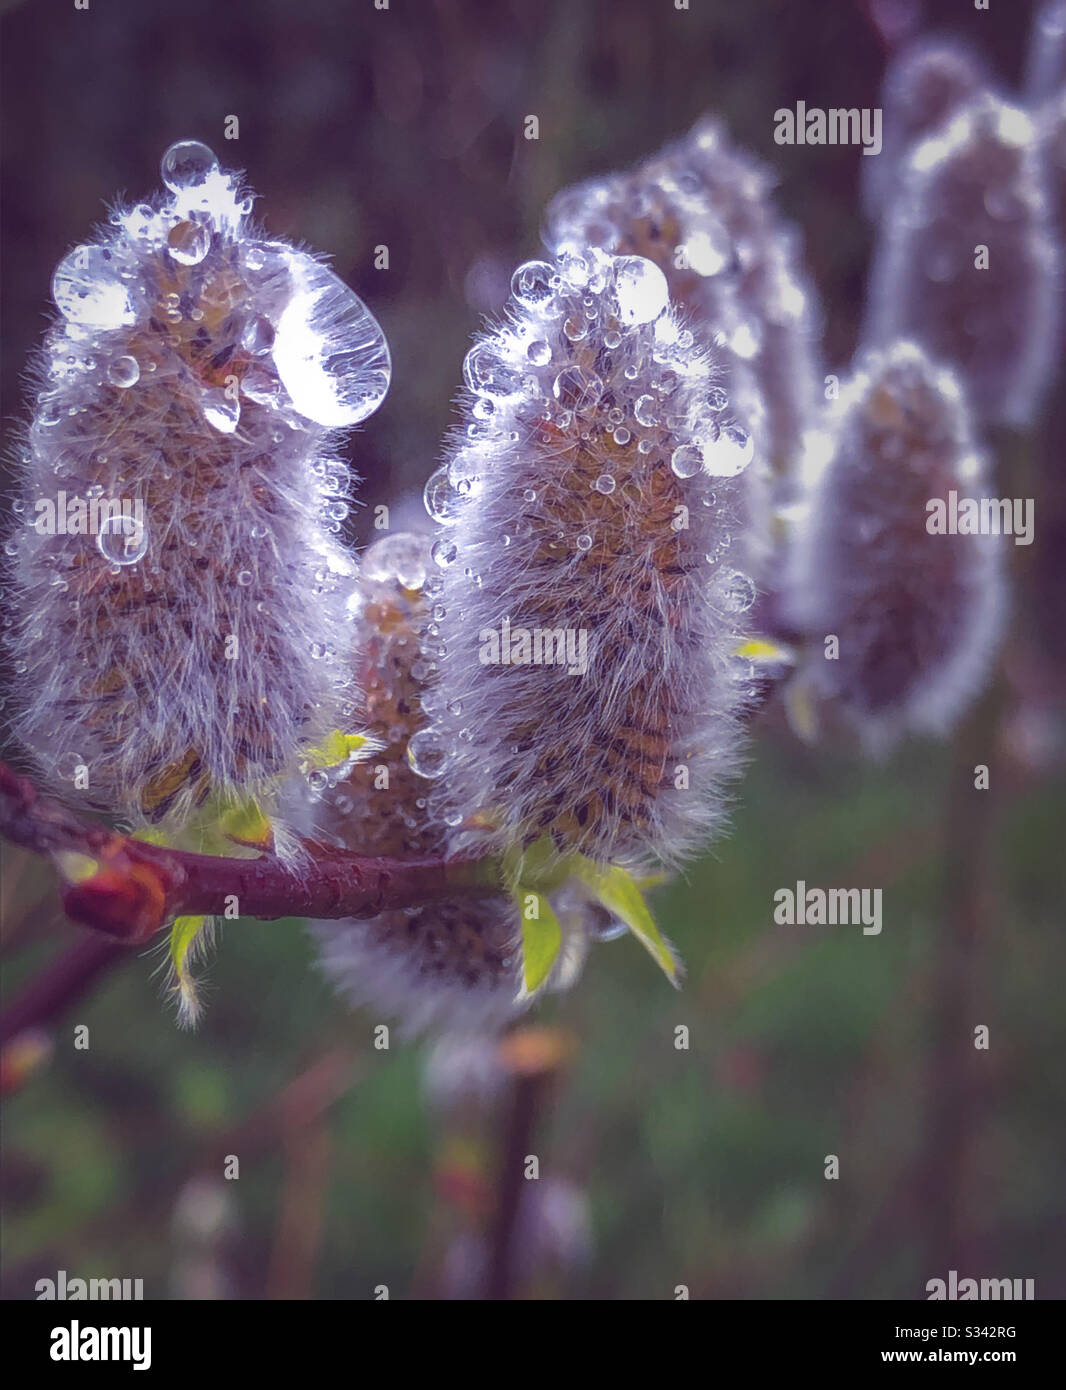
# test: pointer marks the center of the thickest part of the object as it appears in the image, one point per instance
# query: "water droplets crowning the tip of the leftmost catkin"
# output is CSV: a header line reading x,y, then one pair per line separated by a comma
x,y
256,320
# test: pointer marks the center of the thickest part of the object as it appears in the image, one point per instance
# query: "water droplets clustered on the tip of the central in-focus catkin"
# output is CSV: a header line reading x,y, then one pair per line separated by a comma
x,y
589,357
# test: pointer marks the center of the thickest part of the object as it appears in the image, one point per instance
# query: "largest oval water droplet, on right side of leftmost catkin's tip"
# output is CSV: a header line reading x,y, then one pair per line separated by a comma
x,y
330,351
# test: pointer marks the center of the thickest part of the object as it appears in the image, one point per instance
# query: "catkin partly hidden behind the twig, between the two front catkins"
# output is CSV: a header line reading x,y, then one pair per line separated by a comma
x,y
455,964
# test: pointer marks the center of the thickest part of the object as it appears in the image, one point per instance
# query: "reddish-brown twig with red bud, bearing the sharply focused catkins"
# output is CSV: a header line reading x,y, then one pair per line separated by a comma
x,y
136,889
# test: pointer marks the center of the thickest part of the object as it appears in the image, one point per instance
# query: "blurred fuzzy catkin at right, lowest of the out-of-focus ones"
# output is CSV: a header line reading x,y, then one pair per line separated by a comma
x,y
918,616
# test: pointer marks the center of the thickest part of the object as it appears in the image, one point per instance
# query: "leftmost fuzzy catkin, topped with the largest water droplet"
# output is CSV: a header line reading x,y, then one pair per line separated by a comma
x,y
205,373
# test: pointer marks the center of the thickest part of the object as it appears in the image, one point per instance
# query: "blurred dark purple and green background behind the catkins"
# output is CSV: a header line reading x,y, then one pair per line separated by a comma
x,y
658,1167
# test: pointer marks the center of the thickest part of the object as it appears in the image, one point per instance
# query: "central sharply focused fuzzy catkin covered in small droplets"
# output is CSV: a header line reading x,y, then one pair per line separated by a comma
x,y
594,489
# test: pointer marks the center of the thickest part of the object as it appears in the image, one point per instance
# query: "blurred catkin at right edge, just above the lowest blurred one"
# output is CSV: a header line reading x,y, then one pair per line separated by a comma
x,y
968,263
